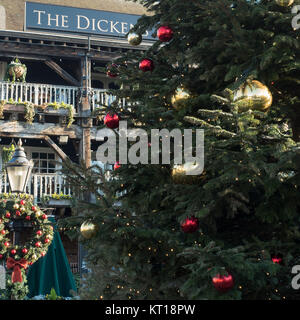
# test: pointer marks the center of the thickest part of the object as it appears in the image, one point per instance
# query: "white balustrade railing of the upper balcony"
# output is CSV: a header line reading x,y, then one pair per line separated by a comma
x,y
42,94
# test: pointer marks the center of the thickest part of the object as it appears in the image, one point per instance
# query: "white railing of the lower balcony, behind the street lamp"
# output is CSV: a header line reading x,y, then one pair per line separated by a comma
x,y
40,185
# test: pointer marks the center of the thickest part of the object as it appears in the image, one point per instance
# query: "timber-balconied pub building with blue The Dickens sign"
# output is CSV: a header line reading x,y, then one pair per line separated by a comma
x,y
64,45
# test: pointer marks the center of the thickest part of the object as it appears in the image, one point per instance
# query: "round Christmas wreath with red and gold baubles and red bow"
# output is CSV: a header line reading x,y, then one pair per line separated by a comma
x,y
19,208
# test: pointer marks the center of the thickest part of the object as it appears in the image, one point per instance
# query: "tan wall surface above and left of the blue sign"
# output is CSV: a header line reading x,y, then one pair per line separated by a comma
x,y
15,8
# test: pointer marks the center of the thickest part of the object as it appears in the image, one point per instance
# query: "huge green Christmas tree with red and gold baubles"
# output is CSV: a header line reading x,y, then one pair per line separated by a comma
x,y
231,68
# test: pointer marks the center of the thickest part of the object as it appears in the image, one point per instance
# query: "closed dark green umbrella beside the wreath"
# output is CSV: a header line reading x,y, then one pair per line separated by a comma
x,y
51,271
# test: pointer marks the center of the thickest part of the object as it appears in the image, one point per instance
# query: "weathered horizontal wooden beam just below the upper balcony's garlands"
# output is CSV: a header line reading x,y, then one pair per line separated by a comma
x,y
16,128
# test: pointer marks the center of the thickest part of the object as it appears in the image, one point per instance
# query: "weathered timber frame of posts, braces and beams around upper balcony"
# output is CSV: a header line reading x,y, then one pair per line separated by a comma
x,y
44,47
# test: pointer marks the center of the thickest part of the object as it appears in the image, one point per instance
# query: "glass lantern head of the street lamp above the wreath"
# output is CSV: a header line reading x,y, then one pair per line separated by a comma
x,y
19,170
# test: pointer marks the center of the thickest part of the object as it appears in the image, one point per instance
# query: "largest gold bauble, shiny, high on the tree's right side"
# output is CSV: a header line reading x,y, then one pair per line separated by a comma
x,y
252,95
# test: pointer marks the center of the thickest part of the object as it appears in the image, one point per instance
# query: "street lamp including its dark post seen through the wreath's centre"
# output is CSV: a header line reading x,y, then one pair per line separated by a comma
x,y
18,170
